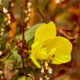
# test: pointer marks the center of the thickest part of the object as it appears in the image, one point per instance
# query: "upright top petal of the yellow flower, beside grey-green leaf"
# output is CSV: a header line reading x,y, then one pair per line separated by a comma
x,y
45,31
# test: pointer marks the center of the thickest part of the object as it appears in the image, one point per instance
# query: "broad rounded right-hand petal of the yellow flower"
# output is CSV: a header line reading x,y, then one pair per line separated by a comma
x,y
63,50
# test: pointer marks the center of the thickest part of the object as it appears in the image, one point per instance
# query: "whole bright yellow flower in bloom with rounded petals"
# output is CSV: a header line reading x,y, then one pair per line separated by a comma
x,y
48,46
